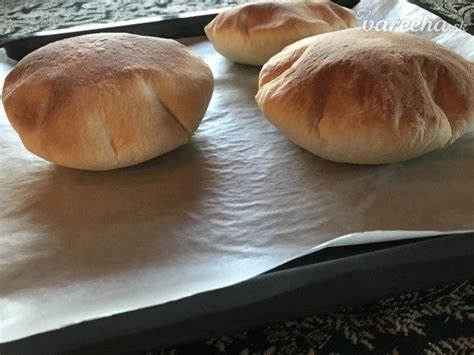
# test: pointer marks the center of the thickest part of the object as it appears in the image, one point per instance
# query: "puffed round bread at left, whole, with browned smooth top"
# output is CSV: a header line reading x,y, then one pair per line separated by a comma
x,y
105,101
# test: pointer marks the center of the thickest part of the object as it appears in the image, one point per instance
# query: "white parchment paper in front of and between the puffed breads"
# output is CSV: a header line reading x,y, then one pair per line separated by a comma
x,y
238,200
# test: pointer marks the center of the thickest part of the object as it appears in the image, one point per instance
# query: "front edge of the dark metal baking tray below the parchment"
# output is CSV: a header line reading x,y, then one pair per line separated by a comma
x,y
320,282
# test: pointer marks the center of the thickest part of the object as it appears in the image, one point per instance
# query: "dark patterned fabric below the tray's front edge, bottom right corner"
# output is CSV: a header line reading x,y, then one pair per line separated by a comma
x,y
434,321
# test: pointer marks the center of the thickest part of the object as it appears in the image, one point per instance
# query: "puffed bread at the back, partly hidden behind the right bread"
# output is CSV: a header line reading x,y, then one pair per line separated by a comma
x,y
252,33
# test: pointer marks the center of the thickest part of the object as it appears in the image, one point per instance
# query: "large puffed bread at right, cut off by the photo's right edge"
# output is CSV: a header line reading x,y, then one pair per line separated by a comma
x,y
368,97
